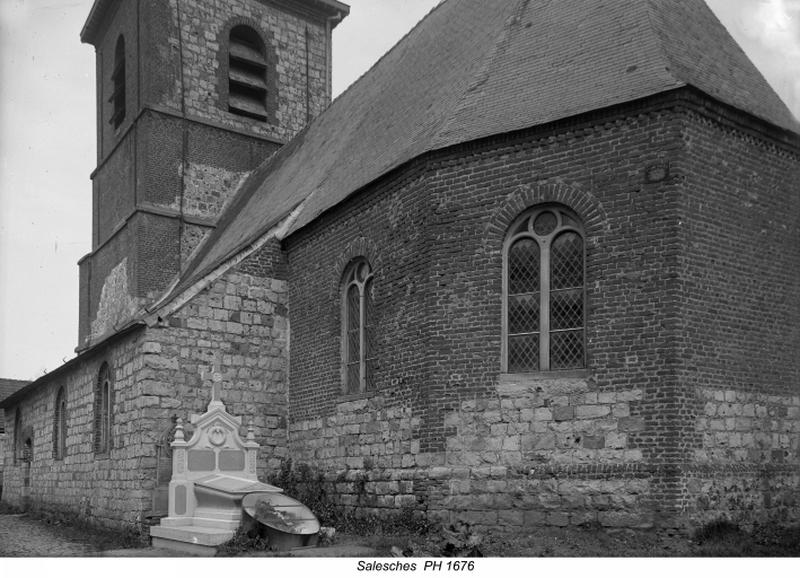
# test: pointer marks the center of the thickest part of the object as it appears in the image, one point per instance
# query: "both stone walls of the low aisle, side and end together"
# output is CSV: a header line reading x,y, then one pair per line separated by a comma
x,y
233,333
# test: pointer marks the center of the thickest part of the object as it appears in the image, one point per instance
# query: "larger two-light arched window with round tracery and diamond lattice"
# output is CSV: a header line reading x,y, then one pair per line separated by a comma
x,y
544,292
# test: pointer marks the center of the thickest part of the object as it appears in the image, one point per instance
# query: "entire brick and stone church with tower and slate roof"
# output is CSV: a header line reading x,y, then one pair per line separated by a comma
x,y
539,266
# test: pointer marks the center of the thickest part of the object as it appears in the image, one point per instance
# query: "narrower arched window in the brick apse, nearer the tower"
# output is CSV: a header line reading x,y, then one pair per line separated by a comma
x,y
358,329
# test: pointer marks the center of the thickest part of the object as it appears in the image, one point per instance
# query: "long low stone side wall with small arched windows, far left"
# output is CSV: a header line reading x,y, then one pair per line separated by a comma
x,y
109,488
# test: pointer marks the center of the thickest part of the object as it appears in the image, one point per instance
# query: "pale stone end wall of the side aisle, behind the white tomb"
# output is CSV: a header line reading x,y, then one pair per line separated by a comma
x,y
235,333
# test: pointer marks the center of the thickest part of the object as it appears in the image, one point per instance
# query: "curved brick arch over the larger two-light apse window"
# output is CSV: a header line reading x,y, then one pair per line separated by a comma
x,y
583,203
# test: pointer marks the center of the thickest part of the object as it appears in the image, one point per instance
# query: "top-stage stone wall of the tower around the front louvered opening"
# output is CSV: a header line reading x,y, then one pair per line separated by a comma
x,y
297,47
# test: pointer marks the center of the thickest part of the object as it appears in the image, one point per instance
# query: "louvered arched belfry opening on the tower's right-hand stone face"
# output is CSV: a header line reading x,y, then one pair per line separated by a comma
x,y
247,74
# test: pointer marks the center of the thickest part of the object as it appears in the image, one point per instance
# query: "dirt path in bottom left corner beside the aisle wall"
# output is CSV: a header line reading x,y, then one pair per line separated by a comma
x,y
23,536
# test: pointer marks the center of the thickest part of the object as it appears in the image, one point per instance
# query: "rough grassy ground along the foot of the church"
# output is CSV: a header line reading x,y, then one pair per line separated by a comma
x,y
26,535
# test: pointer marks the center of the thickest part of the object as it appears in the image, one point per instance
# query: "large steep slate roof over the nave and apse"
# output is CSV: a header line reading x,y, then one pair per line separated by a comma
x,y
476,68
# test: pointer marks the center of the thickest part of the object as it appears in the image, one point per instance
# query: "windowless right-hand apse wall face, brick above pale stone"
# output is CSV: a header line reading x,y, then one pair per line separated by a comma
x,y
741,320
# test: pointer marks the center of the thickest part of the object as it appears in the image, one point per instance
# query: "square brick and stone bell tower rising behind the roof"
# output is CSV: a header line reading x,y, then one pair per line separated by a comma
x,y
192,95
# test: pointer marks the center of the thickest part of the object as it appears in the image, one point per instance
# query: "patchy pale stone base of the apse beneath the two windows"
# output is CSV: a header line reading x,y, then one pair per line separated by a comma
x,y
542,452
